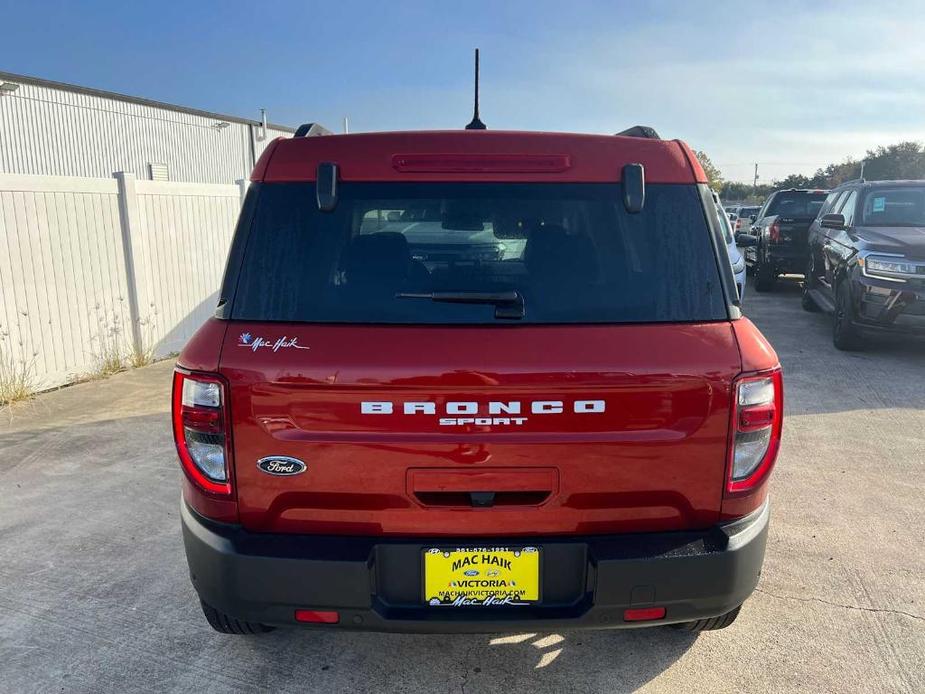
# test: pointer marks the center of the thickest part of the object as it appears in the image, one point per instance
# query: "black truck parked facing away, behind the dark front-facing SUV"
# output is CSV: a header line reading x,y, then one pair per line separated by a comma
x,y
779,235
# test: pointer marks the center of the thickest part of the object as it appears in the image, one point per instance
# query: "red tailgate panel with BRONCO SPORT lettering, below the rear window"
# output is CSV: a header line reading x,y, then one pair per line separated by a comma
x,y
639,444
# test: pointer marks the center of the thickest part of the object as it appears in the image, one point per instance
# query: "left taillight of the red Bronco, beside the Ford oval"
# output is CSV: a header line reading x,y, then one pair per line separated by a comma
x,y
200,430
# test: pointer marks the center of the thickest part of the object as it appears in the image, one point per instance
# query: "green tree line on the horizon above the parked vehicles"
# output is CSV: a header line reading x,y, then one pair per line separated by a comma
x,y
904,160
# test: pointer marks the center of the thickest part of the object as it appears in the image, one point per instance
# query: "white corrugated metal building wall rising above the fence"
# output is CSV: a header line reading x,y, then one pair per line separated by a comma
x,y
50,131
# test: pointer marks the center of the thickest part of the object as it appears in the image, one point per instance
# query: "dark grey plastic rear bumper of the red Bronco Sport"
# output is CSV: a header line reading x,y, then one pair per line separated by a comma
x,y
375,583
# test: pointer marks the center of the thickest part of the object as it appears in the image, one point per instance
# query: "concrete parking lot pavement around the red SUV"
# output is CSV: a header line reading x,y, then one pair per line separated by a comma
x,y
94,594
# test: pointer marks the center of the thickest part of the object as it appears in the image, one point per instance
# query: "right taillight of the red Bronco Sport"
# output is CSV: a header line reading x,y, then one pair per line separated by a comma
x,y
757,417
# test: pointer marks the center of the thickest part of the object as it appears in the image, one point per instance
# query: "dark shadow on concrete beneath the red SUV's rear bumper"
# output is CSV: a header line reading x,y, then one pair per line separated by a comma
x,y
613,660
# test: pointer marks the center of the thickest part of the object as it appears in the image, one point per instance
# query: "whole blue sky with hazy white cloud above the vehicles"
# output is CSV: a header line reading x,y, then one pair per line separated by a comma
x,y
790,85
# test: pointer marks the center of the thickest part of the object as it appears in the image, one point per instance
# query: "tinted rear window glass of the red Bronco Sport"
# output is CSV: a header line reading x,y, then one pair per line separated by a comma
x,y
571,252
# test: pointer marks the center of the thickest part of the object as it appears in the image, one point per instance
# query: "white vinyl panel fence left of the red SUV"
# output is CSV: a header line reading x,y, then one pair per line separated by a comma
x,y
90,267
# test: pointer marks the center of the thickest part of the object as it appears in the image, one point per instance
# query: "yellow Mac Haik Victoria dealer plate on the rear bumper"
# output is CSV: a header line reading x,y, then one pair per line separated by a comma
x,y
481,576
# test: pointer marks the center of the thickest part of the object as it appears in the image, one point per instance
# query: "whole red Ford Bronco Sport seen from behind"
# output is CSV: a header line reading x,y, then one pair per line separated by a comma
x,y
476,381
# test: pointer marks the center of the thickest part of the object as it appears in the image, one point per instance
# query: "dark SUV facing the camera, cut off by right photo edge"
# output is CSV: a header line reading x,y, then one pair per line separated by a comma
x,y
866,260
